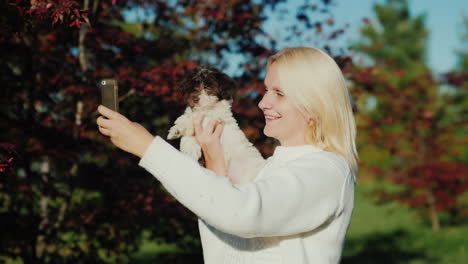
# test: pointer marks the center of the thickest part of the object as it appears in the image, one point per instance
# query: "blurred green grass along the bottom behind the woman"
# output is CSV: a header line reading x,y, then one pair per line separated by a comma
x,y
379,233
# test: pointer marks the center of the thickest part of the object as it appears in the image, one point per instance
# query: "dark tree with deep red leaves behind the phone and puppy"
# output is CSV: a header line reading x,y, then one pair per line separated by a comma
x,y
66,194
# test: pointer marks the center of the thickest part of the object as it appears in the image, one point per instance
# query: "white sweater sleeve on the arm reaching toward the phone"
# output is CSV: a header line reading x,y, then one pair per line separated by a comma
x,y
291,200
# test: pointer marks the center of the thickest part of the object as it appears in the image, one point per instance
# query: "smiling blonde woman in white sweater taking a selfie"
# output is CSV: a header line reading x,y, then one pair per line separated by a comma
x,y
298,209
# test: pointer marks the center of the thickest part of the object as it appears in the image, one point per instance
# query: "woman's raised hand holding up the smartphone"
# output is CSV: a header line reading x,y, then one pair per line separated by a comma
x,y
124,134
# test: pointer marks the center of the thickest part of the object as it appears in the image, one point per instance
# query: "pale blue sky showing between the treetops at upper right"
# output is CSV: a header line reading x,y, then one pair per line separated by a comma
x,y
443,20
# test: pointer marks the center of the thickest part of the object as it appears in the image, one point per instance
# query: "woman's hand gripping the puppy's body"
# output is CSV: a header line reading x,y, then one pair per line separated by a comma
x,y
209,139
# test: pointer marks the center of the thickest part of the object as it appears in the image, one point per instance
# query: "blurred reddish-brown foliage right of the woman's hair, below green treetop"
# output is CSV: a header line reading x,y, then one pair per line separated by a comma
x,y
408,126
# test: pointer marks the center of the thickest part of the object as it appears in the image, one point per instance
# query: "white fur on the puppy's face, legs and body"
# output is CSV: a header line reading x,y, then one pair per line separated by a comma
x,y
243,159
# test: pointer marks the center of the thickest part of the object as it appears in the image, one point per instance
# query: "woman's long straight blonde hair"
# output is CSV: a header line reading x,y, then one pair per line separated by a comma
x,y
315,84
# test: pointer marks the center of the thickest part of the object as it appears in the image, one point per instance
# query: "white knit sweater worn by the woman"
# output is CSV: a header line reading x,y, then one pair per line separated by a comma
x,y
297,210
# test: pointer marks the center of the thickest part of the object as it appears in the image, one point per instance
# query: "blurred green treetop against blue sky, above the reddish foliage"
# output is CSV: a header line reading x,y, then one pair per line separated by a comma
x,y
397,43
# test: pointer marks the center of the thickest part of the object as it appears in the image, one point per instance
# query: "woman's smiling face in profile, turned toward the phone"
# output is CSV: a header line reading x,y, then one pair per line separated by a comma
x,y
283,121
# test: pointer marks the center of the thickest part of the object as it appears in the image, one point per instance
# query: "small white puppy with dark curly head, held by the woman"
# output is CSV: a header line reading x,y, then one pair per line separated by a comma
x,y
209,91
